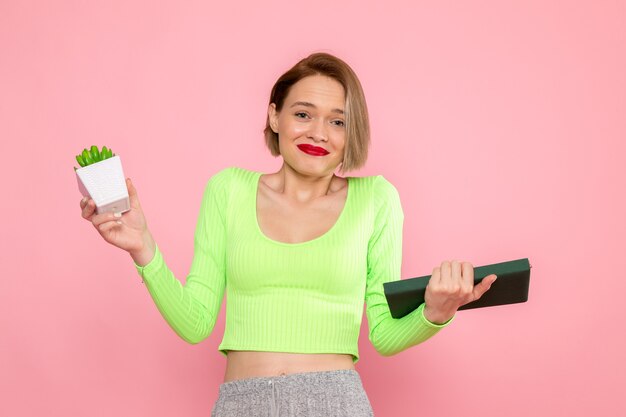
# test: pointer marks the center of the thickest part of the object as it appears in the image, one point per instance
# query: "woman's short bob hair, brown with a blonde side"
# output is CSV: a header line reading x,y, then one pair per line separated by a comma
x,y
355,111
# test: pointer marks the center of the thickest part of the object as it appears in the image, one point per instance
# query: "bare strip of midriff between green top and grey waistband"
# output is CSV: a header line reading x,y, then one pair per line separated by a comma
x,y
250,364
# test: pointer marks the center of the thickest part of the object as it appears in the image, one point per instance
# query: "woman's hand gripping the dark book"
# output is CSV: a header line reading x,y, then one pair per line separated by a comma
x,y
450,286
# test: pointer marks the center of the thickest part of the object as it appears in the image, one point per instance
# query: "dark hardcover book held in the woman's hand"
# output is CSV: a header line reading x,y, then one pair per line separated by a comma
x,y
511,287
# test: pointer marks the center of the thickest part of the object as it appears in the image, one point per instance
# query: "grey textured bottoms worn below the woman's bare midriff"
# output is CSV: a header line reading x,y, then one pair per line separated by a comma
x,y
335,393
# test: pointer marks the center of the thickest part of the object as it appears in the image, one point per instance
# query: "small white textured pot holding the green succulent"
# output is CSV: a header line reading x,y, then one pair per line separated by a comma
x,y
105,183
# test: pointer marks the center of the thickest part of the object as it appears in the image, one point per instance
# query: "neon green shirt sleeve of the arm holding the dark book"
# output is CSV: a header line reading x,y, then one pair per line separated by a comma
x,y
384,259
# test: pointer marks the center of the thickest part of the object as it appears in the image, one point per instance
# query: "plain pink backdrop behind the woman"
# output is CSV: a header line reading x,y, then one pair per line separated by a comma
x,y
501,124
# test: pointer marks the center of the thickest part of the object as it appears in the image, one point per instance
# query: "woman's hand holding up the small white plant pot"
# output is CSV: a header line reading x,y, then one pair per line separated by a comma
x,y
129,231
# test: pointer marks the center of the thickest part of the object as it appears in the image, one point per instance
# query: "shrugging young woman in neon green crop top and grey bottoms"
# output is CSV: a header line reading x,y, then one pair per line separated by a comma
x,y
298,252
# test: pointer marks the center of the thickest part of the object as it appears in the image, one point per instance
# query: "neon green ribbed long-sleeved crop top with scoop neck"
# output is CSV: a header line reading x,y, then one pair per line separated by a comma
x,y
290,297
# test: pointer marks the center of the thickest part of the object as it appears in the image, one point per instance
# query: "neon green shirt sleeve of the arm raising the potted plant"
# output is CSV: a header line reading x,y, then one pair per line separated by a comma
x,y
191,310
